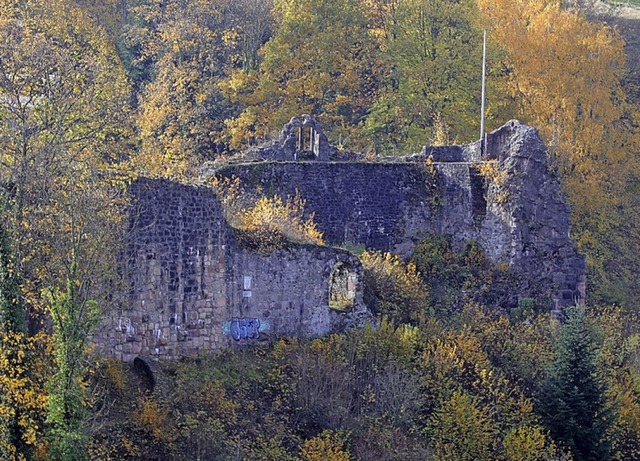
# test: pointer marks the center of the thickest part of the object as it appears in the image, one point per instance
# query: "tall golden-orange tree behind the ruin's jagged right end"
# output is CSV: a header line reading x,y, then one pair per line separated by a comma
x,y
563,74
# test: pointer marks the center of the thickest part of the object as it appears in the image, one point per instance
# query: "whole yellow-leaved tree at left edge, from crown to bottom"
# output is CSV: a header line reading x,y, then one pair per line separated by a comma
x,y
63,128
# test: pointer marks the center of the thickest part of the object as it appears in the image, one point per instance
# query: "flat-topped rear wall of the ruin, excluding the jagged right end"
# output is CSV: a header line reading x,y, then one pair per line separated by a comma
x,y
384,206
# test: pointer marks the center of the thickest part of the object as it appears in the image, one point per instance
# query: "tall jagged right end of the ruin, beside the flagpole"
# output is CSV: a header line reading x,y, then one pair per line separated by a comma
x,y
531,210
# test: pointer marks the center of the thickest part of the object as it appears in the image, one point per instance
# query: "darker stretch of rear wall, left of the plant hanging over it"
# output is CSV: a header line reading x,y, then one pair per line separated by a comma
x,y
376,205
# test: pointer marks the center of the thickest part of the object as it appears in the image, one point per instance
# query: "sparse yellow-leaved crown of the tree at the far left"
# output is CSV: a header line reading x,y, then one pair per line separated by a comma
x,y
63,99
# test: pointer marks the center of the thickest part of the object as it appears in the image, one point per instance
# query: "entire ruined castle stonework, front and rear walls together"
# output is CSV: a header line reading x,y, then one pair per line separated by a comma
x,y
193,288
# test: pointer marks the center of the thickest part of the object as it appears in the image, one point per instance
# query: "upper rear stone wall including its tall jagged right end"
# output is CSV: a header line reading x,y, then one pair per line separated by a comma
x,y
519,215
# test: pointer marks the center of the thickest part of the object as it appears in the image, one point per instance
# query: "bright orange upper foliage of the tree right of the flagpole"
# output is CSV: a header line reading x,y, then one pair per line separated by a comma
x,y
564,73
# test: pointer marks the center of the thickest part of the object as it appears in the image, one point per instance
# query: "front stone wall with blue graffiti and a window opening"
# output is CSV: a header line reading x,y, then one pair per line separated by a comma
x,y
194,289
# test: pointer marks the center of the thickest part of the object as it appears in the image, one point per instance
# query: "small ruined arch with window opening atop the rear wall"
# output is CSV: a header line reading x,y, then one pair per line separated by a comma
x,y
302,138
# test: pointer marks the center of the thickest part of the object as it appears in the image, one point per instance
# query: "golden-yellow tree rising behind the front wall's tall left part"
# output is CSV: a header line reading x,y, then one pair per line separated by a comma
x,y
185,49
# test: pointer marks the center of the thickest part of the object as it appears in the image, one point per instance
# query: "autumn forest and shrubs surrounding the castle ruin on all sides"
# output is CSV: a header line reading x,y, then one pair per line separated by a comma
x,y
95,93
